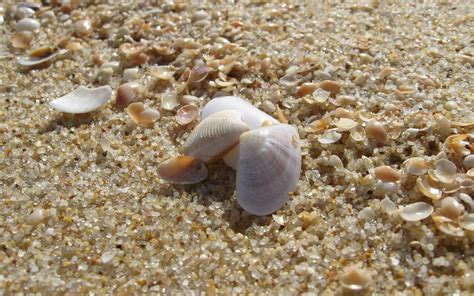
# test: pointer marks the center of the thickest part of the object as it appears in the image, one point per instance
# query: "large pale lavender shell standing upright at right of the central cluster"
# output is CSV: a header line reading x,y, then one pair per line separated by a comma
x,y
269,168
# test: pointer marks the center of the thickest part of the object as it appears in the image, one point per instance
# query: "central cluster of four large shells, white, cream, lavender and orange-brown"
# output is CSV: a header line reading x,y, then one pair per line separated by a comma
x,y
264,152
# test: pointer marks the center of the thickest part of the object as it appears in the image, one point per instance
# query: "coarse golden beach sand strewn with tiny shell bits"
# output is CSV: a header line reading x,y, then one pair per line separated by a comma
x,y
82,208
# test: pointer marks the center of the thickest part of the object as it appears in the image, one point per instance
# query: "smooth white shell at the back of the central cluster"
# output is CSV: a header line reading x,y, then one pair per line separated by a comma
x,y
252,116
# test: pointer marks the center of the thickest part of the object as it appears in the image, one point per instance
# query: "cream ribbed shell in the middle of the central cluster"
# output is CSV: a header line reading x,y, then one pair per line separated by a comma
x,y
215,135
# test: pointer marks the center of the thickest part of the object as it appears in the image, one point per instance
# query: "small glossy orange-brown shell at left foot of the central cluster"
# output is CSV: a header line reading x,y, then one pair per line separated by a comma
x,y
182,170
